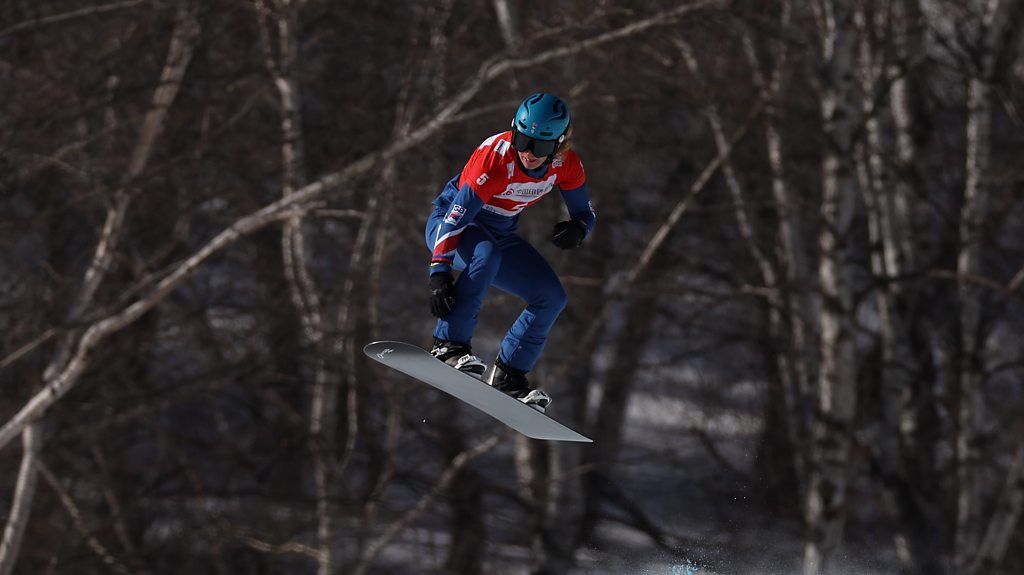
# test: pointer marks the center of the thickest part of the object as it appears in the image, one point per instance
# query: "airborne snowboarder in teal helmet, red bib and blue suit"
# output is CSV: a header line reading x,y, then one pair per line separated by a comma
x,y
474,229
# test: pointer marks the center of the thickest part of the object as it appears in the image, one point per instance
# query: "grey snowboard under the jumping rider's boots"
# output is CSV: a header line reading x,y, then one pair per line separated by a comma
x,y
418,364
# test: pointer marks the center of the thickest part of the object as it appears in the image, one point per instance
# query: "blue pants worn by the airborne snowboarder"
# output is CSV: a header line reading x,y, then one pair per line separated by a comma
x,y
513,266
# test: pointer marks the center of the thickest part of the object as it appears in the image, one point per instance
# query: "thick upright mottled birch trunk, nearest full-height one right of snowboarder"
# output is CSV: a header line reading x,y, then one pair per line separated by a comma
x,y
825,513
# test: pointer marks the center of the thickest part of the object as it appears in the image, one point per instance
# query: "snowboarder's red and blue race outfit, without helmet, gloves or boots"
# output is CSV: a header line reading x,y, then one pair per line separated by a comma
x,y
474,229
